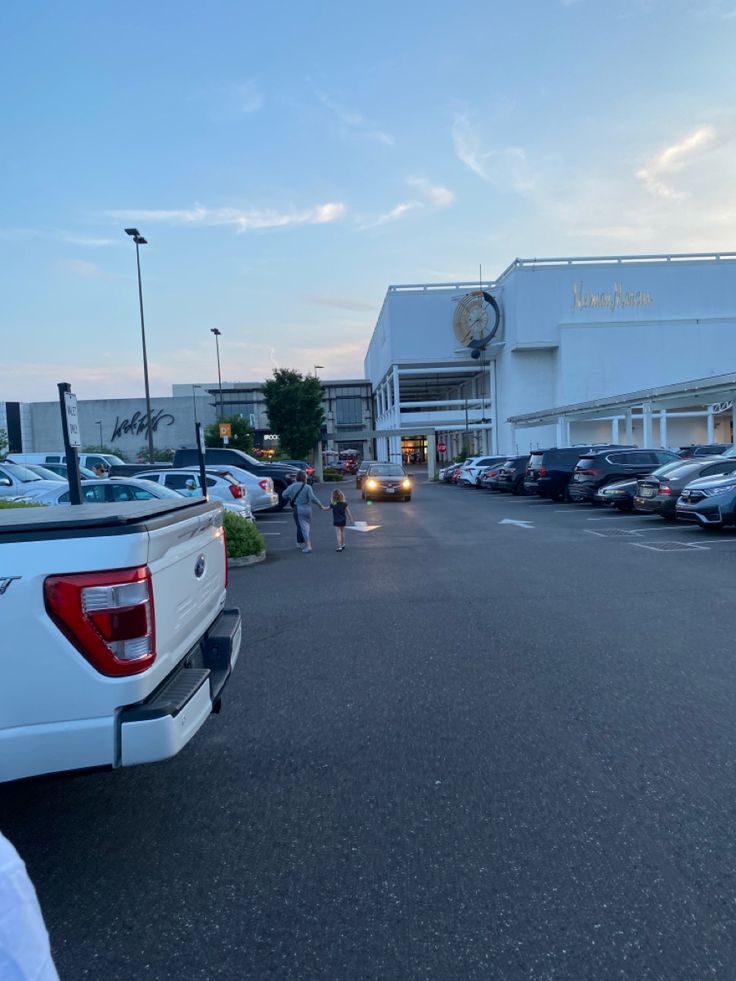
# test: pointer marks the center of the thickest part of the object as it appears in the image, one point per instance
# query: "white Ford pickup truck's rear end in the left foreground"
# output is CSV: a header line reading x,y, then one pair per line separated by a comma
x,y
115,643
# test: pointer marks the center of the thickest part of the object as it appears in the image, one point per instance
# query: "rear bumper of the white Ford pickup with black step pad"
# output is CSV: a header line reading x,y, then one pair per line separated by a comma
x,y
165,722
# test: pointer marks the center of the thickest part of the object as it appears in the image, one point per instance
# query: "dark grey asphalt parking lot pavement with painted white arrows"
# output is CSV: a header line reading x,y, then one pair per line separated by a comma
x,y
494,738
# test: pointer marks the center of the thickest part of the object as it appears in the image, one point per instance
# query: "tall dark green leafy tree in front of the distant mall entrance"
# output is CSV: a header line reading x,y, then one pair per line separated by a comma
x,y
294,406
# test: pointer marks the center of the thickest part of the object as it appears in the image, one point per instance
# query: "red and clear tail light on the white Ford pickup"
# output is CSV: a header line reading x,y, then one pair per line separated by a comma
x,y
107,616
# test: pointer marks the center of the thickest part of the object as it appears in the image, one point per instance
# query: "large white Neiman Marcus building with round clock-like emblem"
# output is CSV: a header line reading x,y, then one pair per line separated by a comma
x,y
621,349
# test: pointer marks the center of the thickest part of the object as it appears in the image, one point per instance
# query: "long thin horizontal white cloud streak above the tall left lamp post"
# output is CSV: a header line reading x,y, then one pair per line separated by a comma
x,y
240,220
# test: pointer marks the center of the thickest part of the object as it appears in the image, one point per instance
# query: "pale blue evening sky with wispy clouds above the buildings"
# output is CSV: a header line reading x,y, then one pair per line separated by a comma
x,y
288,162
